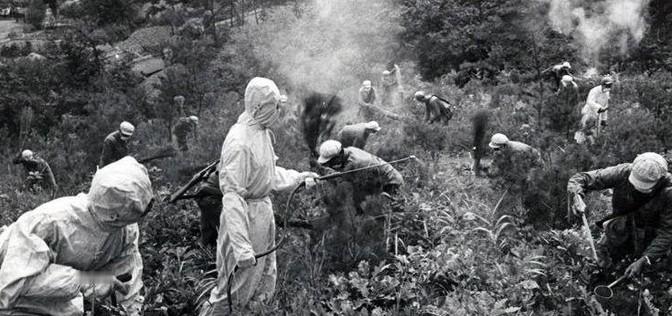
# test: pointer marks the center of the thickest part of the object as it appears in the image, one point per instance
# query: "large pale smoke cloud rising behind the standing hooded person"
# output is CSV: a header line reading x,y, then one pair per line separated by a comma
x,y
329,45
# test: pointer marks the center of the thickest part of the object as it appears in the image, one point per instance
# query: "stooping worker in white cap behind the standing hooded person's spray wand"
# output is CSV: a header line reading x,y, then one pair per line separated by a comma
x,y
383,178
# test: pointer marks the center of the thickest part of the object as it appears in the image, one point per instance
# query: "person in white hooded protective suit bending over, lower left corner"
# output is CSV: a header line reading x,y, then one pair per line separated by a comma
x,y
68,249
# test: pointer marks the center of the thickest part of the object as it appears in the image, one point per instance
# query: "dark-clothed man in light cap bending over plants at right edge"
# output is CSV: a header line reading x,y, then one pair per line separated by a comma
x,y
641,221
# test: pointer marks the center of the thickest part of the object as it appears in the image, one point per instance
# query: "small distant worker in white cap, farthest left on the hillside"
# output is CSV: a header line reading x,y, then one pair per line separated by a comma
x,y
37,172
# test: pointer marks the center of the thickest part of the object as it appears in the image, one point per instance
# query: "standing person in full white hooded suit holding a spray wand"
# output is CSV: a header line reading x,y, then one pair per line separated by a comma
x,y
247,176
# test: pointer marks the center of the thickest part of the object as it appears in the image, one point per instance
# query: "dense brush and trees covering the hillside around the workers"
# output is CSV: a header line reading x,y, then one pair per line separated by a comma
x,y
451,250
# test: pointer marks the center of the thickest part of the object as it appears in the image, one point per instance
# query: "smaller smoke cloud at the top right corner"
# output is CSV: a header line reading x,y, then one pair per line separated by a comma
x,y
597,24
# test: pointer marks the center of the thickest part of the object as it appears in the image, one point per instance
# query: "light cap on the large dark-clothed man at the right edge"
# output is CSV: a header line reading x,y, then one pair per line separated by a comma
x,y
647,169
